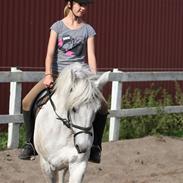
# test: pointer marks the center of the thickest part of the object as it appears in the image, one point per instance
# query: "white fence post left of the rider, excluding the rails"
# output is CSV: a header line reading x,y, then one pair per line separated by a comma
x,y
14,108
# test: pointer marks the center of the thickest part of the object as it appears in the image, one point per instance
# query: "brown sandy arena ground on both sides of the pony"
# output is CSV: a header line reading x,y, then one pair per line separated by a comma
x,y
145,160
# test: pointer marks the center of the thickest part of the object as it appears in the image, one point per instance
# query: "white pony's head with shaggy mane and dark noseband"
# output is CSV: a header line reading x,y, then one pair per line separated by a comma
x,y
81,99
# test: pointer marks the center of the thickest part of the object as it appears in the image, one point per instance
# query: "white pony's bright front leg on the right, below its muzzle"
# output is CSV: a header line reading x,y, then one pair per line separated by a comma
x,y
77,171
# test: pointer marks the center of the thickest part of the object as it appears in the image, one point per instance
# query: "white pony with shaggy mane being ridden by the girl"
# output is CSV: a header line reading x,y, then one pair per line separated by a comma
x,y
63,129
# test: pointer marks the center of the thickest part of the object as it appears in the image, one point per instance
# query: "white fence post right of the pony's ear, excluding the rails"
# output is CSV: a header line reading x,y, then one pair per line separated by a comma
x,y
115,105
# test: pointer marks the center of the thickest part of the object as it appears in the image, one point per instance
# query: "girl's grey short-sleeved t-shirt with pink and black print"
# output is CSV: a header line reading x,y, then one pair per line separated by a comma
x,y
71,44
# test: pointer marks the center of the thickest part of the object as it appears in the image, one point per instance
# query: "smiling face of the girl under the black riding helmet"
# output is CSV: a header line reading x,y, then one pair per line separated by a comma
x,y
79,9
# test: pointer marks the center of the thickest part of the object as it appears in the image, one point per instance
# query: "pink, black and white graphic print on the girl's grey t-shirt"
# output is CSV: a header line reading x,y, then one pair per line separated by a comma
x,y
71,46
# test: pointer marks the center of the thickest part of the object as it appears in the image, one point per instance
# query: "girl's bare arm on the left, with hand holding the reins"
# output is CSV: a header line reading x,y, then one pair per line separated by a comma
x,y
48,80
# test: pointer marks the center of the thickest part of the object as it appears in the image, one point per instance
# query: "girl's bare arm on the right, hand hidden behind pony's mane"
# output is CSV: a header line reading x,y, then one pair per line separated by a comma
x,y
91,54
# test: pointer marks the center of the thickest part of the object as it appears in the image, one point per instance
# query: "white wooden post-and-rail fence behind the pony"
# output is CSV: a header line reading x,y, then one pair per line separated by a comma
x,y
16,78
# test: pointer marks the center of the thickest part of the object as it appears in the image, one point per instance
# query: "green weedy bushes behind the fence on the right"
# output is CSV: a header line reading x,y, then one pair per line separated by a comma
x,y
164,124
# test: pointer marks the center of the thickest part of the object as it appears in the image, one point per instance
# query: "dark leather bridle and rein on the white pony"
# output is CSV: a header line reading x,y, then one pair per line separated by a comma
x,y
68,122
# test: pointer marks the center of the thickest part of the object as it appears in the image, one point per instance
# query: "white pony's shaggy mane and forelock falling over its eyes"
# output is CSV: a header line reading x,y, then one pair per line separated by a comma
x,y
75,86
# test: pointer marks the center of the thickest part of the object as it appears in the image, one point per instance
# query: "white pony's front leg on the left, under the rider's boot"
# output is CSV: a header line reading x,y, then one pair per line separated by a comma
x,y
50,174
